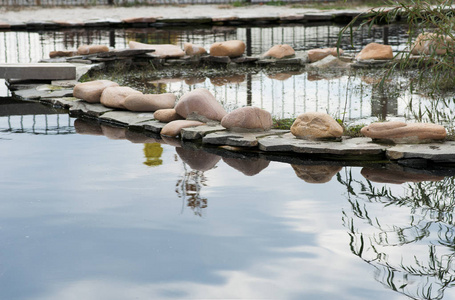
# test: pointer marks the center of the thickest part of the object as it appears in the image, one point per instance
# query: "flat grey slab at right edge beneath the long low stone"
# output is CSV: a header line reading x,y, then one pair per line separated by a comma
x,y
438,152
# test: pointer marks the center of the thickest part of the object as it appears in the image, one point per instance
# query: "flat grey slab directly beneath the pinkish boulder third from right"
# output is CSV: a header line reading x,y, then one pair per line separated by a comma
x,y
240,139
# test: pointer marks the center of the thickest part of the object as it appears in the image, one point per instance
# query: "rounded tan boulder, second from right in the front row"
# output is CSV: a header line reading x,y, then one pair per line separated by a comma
x,y
316,125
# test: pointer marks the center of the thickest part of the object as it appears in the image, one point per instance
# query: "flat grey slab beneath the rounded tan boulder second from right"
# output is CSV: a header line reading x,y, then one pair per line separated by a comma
x,y
347,146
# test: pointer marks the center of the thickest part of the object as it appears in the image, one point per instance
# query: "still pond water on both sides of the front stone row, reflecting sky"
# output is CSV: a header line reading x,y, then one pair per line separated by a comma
x,y
90,211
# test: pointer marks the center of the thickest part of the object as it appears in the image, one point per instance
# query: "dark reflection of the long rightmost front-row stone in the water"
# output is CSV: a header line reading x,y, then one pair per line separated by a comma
x,y
396,176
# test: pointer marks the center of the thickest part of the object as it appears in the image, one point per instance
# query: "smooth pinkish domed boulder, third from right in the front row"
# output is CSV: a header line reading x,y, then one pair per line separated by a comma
x,y
246,119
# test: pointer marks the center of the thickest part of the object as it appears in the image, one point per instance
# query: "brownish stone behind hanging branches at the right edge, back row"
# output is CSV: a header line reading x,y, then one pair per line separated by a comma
x,y
429,43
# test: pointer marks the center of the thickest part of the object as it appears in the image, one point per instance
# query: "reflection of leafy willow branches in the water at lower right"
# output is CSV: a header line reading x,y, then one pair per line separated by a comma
x,y
409,239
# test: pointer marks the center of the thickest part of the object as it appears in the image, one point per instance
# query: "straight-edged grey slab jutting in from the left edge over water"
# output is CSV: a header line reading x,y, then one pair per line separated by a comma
x,y
40,71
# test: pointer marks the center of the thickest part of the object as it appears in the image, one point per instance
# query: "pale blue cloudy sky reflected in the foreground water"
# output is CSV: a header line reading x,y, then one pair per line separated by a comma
x,y
85,217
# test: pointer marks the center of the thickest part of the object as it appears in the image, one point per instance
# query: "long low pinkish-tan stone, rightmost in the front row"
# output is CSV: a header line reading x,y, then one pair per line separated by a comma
x,y
400,132
